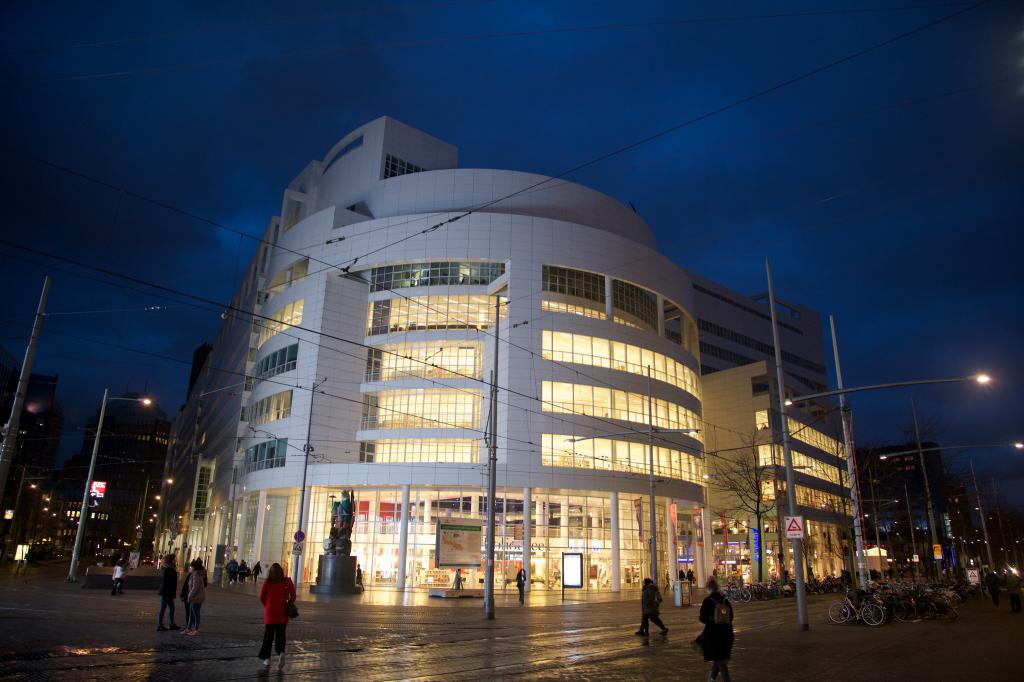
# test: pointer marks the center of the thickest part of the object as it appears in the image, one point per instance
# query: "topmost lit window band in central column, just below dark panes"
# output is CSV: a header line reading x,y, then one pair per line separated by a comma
x,y
425,313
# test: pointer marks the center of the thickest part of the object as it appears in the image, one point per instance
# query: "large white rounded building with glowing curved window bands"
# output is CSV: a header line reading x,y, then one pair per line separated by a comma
x,y
366,328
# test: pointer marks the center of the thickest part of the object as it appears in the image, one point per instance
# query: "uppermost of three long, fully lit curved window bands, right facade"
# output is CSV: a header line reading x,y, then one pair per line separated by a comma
x,y
595,352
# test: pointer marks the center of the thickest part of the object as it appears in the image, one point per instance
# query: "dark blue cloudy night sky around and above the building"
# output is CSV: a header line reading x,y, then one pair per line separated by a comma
x,y
888,191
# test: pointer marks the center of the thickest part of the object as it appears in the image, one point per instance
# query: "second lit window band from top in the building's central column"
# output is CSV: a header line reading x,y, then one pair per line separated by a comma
x,y
444,360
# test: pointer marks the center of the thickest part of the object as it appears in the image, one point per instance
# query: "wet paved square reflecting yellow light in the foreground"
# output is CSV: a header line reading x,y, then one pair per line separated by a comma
x,y
54,631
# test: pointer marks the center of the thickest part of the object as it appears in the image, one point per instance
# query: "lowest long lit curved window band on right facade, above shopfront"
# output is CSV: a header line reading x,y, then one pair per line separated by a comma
x,y
627,456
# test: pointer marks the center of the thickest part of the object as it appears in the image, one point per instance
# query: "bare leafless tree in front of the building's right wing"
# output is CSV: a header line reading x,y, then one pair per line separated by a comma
x,y
748,488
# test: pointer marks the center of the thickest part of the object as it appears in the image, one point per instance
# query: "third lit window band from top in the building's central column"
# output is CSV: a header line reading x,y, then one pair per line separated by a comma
x,y
421,409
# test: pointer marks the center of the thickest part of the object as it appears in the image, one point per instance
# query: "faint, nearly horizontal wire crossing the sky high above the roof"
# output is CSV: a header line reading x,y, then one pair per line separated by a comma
x,y
478,38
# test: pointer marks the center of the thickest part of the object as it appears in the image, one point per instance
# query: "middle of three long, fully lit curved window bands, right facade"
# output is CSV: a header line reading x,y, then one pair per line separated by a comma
x,y
614,404
